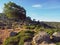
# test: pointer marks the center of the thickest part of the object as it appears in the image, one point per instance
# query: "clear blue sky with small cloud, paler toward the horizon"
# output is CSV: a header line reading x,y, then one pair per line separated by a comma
x,y
42,10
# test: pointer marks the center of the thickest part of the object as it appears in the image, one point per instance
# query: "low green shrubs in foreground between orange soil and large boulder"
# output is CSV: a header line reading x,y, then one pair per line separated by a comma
x,y
20,38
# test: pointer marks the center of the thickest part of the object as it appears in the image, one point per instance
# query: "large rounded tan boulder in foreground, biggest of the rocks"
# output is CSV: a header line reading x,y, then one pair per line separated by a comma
x,y
40,37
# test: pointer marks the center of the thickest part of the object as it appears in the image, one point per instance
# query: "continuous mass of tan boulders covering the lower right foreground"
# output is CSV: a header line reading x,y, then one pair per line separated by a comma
x,y
42,38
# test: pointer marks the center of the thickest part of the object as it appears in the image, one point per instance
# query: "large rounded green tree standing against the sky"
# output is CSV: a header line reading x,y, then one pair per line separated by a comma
x,y
14,11
